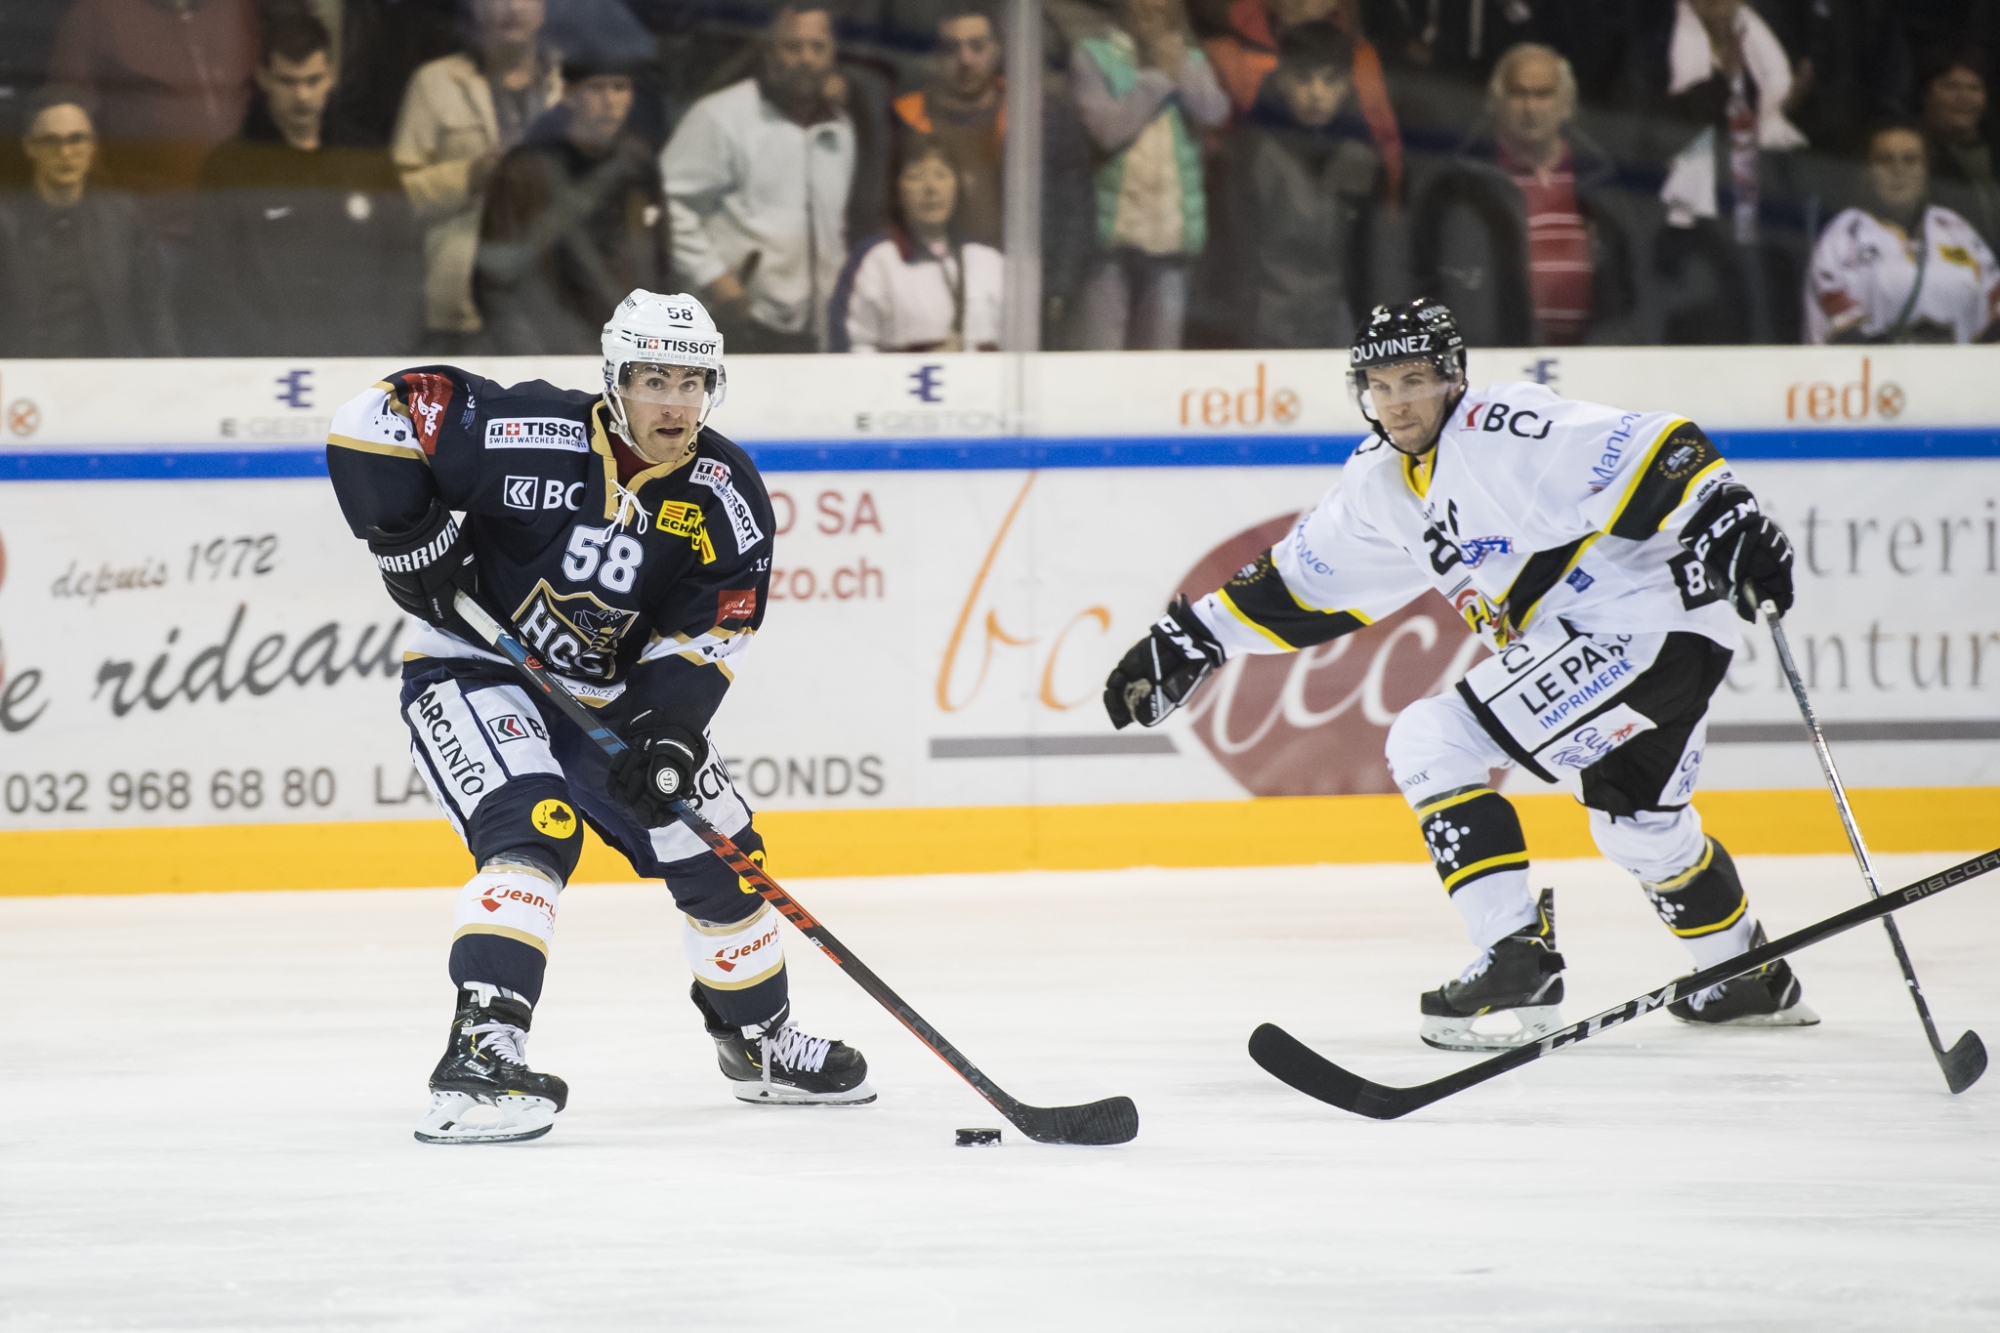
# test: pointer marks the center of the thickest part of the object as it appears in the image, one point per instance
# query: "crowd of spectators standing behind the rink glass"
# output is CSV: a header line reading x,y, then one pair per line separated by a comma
x,y
459,177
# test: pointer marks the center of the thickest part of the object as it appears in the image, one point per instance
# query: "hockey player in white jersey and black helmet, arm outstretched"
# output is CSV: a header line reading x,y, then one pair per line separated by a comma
x,y
1607,557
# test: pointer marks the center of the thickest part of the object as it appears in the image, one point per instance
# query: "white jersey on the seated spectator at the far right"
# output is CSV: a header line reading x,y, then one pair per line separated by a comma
x,y
1865,269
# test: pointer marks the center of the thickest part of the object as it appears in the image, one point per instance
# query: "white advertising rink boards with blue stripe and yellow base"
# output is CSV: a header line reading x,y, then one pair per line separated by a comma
x,y
211,649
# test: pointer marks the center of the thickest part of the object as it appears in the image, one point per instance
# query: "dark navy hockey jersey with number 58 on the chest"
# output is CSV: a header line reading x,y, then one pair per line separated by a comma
x,y
647,585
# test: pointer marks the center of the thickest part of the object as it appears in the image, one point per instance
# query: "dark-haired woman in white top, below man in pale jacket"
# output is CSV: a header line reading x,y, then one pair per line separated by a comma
x,y
921,287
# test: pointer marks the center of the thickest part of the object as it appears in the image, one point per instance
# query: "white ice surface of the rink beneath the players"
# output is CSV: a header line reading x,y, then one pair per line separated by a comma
x,y
209,1108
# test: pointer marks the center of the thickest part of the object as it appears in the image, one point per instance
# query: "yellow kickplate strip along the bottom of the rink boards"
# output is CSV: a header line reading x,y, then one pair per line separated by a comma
x,y
965,840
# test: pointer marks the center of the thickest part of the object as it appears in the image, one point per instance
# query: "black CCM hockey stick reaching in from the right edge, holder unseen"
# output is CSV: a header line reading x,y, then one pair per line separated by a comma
x,y
1297,1064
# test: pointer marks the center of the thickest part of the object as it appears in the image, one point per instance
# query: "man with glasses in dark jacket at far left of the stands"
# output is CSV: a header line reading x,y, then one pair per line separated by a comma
x,y
79,269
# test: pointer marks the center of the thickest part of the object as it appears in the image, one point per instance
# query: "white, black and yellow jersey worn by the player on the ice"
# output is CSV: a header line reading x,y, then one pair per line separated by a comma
x,y
1531,509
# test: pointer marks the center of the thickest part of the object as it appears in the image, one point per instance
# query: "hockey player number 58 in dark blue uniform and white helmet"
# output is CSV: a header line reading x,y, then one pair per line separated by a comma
x,y
631,545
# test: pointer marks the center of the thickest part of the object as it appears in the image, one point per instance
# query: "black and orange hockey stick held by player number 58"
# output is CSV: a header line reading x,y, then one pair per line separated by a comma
x,y
1113,1120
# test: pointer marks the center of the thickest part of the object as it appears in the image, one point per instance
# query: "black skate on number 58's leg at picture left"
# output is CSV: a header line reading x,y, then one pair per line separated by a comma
x,y
483,1090
